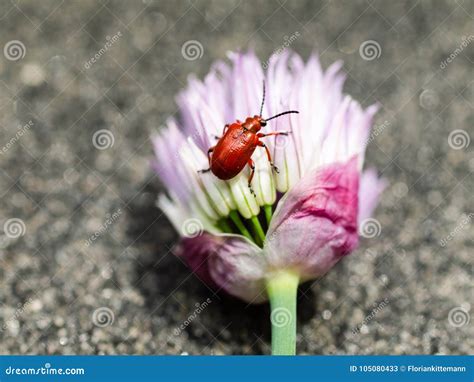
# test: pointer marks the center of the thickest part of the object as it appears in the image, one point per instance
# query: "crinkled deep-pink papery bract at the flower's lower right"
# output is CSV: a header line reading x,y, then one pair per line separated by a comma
x,y
315,223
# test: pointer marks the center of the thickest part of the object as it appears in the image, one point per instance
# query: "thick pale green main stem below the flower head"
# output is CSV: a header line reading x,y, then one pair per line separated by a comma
x,y
282,289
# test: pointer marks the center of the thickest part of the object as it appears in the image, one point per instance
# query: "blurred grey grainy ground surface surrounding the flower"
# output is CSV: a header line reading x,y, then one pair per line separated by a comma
x,y
86,263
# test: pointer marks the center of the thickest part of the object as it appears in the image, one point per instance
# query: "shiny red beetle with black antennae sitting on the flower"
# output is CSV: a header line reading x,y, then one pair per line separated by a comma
x,y
237,144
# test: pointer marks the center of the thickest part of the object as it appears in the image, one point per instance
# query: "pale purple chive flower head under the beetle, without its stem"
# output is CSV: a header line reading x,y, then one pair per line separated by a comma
x,y
304,218
